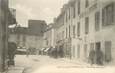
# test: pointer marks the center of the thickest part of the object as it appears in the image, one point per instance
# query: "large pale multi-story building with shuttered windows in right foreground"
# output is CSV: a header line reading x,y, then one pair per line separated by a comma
x,y
89,24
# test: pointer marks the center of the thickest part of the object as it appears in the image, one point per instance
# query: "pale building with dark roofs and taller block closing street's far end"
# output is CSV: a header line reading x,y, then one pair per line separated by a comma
x,y
29,37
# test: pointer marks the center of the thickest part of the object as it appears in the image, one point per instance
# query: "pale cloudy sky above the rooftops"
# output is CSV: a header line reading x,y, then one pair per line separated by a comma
x,y
36,9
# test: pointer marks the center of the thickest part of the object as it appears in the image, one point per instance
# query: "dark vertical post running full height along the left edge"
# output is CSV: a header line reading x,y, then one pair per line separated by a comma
x,y
3,34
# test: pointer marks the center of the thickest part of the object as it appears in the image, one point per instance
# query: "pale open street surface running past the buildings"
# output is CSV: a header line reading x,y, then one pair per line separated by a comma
x,y
45,64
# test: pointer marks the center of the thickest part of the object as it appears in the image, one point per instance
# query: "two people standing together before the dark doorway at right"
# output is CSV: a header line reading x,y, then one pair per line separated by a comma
x,y
96,57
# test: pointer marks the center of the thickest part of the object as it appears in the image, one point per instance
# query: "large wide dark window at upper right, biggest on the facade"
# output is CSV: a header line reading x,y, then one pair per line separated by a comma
x,y
108,15
